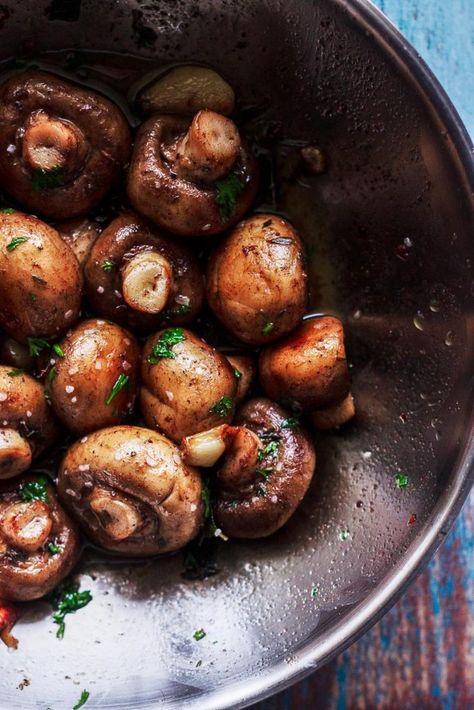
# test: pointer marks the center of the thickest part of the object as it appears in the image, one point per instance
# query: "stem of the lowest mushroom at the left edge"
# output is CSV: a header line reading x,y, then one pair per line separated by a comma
x,y
26,525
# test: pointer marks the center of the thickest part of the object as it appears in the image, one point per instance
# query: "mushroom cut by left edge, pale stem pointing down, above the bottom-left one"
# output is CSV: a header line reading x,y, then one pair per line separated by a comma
x,y
27,425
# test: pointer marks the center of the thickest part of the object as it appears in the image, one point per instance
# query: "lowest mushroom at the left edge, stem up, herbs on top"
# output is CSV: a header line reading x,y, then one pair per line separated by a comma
x,y
28,568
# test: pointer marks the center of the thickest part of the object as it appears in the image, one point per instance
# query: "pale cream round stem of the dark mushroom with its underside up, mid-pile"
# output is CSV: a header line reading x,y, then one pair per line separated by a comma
x,y
147,282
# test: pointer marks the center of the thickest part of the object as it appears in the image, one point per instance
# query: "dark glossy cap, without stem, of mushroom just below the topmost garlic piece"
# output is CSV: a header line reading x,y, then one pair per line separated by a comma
x,y
180,205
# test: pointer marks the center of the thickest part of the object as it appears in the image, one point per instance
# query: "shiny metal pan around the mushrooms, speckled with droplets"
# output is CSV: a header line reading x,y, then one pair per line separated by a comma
x,y
389,234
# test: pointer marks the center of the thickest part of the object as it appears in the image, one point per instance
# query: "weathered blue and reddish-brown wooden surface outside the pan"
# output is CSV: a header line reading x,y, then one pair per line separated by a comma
x,y
420,656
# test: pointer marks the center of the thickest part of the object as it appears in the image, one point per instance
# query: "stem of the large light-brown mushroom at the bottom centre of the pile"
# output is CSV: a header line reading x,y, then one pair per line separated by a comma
x,y
118,517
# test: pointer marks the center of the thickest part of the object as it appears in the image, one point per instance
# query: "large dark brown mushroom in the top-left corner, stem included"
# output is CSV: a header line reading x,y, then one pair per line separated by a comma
x,y
62,147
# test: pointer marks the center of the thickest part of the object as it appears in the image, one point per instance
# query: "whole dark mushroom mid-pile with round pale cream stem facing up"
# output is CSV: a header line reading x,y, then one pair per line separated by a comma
x,y
141,278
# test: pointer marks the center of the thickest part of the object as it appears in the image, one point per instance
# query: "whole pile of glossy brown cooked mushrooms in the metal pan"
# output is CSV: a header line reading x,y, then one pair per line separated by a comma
x,y
100,332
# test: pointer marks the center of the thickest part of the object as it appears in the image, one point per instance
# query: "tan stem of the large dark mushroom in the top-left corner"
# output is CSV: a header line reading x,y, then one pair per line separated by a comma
x,y
51,143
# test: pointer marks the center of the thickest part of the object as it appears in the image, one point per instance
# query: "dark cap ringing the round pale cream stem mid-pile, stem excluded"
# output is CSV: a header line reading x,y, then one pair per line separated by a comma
x,y
126,237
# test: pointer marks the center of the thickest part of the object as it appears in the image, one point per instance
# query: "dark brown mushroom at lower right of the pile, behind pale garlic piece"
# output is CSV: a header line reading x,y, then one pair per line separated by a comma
x,y
259,494
